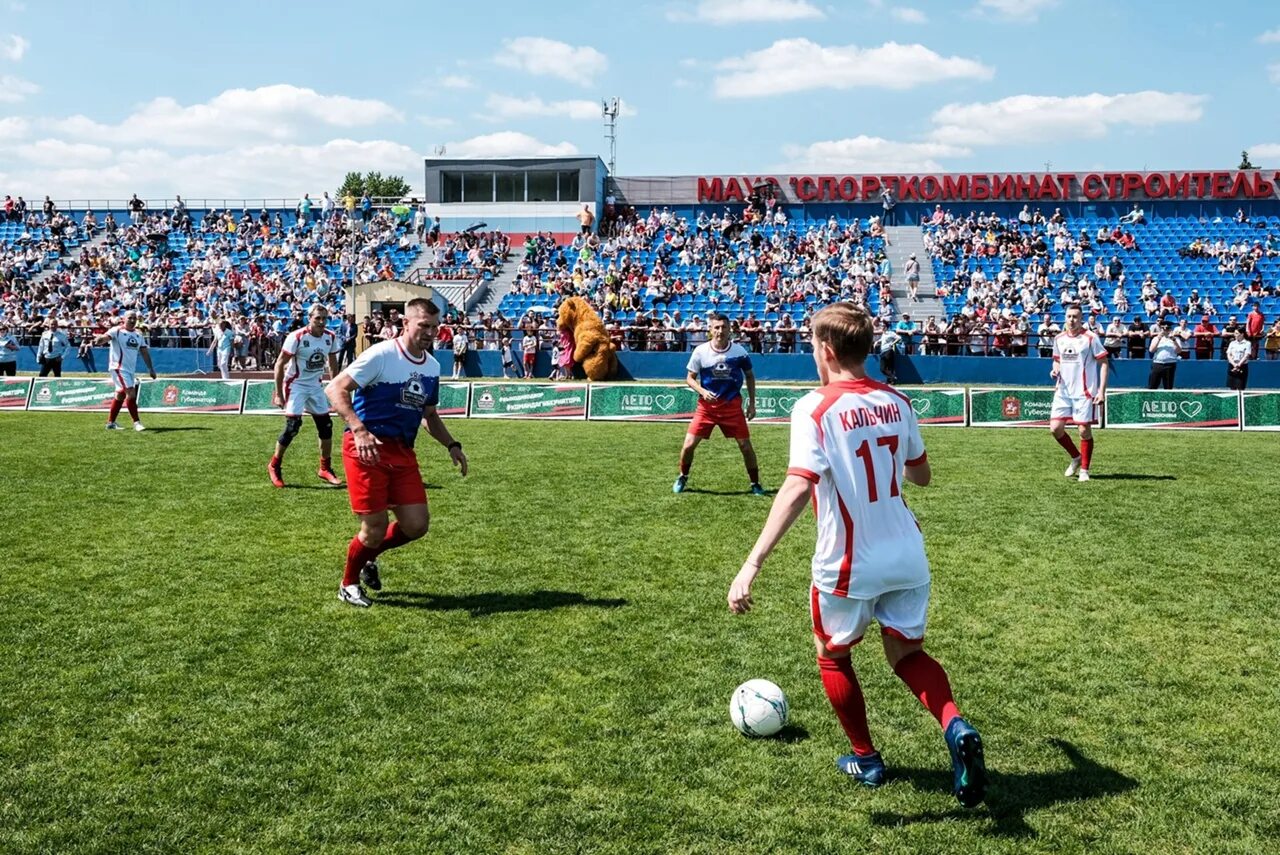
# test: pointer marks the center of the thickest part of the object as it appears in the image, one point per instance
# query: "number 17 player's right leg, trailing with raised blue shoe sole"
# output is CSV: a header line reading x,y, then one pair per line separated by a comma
x,y
902,616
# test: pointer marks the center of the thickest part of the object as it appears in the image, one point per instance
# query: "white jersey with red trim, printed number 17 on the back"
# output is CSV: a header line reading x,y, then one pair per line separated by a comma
x,y
852,440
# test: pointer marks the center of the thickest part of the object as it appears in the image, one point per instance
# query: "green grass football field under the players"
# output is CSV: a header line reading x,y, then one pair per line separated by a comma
x,y
550,671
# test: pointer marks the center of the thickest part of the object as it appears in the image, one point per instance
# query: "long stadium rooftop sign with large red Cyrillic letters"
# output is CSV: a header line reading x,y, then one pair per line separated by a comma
x,y
1002,188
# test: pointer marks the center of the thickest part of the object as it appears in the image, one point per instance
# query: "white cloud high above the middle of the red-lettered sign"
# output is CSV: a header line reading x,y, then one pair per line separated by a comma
x,y
799,65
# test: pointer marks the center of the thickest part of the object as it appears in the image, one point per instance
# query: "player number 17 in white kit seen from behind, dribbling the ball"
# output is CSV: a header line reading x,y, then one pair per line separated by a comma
x,y
853,442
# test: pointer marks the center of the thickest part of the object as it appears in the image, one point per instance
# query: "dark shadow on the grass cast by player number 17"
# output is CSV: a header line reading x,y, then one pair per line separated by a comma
x,y
1012,797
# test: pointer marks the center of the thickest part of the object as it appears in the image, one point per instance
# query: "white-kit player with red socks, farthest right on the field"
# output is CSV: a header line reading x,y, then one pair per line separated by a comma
x,y
1081,371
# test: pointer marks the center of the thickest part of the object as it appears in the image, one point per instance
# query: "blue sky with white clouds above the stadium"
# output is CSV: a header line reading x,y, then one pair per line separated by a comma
x,y
260,99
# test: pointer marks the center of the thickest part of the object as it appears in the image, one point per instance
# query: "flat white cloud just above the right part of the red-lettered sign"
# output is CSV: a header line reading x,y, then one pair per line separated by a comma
x,y
1040,118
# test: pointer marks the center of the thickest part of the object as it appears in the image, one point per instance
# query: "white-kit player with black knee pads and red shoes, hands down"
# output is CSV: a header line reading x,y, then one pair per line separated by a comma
x,y
305,356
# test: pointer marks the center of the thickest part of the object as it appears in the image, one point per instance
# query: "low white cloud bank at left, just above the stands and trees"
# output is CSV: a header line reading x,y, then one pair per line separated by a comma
x,y
253,171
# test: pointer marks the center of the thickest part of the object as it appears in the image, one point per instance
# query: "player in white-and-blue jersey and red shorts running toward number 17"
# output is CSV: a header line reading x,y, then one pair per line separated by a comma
x,y
383,397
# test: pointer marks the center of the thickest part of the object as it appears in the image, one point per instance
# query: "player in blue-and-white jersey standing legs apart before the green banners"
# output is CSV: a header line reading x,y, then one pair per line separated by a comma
x,y
717,372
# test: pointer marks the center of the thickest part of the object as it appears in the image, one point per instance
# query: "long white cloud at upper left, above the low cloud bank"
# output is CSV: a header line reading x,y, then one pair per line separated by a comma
x,y
276,113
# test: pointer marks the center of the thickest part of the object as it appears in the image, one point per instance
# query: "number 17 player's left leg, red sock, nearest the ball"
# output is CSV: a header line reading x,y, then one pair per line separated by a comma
x,y
839,624
